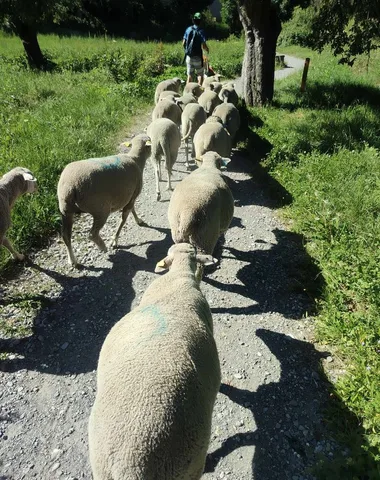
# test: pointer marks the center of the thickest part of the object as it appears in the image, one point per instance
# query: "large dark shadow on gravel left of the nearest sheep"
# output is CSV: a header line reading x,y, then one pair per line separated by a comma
x,y
69,331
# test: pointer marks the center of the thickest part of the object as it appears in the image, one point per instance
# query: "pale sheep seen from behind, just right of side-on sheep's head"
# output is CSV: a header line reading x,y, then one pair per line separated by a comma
x,y
166,141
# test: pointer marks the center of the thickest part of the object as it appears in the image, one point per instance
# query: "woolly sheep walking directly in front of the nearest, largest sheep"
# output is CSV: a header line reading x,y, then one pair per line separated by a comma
x,y
202,206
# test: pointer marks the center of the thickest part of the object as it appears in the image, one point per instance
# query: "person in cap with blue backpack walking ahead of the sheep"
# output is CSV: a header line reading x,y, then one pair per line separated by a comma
x,y
194,41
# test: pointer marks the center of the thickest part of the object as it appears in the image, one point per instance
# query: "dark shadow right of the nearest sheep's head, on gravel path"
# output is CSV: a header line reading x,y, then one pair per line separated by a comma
x,y
283,278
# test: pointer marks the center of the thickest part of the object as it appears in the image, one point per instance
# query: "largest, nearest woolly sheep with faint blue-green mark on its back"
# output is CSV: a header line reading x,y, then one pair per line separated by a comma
x,y
157,380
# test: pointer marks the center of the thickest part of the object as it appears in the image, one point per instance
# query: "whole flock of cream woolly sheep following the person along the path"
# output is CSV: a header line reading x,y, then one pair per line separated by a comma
x,y
158,373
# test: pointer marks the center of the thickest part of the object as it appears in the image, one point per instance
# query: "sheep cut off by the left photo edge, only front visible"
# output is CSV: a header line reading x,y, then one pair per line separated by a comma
x,y
13,184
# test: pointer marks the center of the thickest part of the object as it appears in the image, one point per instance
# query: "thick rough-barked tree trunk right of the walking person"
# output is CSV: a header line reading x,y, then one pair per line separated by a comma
x,y
262,27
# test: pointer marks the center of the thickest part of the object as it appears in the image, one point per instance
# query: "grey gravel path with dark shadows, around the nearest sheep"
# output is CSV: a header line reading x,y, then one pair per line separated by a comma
x,y
267,419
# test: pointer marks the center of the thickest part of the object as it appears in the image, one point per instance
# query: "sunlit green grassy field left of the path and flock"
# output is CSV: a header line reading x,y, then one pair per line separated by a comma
x,y
79,109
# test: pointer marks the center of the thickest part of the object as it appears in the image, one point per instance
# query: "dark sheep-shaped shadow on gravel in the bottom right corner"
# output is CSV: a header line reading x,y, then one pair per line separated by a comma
x,y
291,436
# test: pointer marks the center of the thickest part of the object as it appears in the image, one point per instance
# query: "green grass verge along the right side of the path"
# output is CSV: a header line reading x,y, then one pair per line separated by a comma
x,y
323,146
